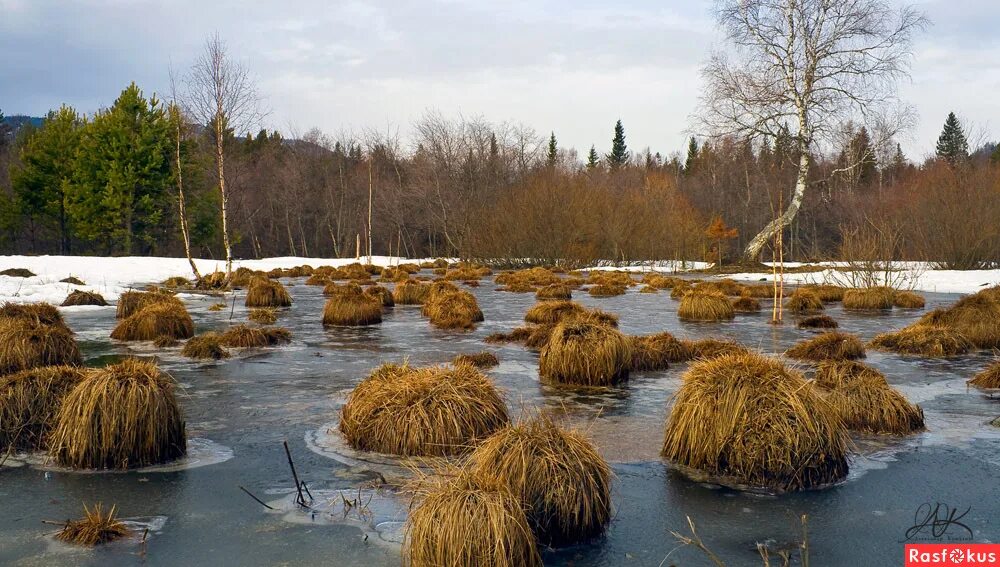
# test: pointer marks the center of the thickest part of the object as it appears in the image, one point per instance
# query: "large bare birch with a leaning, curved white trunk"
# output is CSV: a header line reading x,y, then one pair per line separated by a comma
x,y
808,66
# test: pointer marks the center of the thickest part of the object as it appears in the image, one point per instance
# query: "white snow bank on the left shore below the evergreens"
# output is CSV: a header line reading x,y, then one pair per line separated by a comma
x,y
112,276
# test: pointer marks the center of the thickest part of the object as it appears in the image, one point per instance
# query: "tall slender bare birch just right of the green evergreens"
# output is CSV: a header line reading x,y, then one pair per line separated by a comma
x,y
222,95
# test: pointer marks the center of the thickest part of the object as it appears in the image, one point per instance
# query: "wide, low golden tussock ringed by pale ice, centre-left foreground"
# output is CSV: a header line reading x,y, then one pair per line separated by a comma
x,y
433,411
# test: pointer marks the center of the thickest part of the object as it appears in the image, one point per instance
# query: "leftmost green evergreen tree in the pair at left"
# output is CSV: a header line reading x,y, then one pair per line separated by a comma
x,y
41,181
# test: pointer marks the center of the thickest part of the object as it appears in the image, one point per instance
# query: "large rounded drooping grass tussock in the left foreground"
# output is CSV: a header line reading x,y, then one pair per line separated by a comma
x,y
119,417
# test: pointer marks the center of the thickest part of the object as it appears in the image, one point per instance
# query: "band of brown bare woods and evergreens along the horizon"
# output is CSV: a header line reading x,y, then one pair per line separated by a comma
x,y
108,184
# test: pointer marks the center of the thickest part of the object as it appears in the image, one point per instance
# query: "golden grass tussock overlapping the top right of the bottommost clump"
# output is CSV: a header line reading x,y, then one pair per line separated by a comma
x,y
558,475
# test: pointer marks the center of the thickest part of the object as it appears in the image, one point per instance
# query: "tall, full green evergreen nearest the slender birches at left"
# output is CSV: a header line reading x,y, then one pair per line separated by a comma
x,y
120,194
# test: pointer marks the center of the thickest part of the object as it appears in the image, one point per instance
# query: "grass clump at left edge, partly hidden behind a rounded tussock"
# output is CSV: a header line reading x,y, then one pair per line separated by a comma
x,y
29,401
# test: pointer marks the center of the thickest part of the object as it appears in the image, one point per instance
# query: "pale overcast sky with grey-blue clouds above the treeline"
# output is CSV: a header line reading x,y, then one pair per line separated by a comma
x,y
573,67
